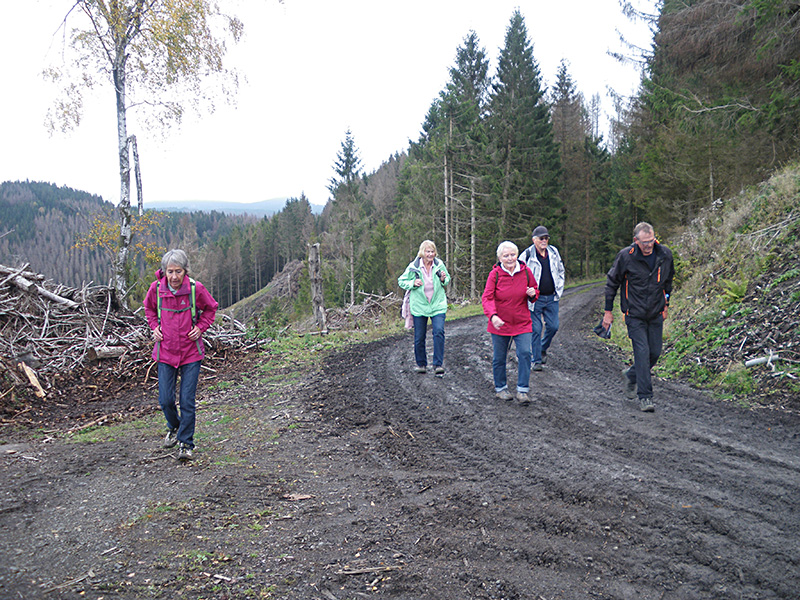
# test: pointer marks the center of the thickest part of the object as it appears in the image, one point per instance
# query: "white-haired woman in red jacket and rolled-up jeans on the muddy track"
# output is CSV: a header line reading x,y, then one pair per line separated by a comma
x,y
505,302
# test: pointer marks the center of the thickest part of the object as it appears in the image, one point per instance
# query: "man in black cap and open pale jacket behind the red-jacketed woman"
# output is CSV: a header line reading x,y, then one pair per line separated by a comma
x,y
548,270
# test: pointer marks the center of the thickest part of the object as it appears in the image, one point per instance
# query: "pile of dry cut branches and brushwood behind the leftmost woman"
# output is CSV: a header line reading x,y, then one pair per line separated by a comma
x,y
54,339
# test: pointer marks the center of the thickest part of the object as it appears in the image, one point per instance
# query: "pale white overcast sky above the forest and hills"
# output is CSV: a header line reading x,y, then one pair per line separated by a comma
x,y
314,69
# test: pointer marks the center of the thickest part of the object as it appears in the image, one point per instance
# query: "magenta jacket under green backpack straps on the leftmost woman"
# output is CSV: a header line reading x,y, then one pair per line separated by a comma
x,y
176,320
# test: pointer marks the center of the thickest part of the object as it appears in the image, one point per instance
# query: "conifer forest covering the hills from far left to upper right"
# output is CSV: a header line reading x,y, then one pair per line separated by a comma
x,y
499,152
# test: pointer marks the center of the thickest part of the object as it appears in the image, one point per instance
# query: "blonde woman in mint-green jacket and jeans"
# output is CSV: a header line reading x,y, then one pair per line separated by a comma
x,y
425,279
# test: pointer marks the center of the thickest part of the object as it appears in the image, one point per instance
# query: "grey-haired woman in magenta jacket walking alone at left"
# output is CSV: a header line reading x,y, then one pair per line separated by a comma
x,y
178,310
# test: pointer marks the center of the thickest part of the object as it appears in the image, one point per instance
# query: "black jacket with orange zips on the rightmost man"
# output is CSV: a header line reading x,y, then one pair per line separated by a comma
x,y
643,293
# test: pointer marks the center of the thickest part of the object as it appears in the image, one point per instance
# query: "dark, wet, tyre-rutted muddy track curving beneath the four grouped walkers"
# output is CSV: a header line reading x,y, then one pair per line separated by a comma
x,y
580,493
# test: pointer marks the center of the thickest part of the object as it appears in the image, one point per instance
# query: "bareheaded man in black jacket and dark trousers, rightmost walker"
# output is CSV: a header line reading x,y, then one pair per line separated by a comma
x,y
643,271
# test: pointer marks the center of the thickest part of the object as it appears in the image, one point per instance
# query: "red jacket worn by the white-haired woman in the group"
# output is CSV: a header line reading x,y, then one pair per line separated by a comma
x,y
506,296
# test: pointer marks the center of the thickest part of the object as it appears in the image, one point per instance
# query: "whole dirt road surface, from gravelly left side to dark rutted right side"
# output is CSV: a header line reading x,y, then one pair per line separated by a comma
x,y
370,480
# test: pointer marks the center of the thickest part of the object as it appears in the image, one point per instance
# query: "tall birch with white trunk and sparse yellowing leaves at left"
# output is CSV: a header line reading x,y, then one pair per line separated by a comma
x,y
160,58
